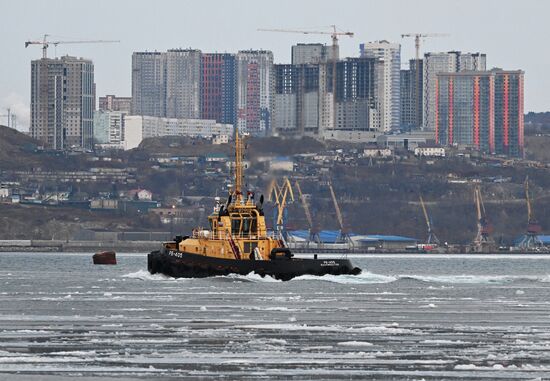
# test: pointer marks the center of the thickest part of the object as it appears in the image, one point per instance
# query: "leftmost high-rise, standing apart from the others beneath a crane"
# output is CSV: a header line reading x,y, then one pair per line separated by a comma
x,y
62,102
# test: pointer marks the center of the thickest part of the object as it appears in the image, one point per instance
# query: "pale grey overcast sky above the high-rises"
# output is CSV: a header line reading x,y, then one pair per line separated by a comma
x,y
514,34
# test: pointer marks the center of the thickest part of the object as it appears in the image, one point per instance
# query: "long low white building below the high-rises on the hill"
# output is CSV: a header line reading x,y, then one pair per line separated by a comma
x,y
138,128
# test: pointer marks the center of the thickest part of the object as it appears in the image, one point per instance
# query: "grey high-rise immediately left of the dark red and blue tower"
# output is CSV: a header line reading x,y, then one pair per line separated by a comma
x,y
183,78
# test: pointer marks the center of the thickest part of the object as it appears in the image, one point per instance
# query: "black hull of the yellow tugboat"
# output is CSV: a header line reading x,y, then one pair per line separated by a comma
x,y
185,265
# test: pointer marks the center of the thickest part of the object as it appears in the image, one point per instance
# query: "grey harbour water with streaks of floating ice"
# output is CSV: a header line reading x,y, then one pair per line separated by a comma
x,y
406,317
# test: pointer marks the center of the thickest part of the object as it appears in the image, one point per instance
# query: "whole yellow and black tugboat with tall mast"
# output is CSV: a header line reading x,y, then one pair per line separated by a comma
x,y
237,241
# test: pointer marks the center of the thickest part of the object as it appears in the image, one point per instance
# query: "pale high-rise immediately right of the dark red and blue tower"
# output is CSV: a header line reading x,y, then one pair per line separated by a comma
x,y
255,85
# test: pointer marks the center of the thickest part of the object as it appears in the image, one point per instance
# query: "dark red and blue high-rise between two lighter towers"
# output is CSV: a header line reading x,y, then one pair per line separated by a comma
x,y
219,87
